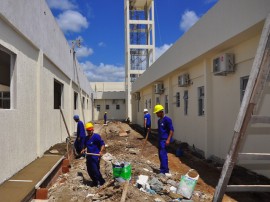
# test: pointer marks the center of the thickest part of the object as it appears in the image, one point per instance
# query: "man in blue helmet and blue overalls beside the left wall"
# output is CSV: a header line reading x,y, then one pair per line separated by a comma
x,y
79,142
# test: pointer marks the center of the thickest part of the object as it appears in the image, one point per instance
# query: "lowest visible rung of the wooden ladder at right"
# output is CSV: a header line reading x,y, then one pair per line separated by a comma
x,y
248,188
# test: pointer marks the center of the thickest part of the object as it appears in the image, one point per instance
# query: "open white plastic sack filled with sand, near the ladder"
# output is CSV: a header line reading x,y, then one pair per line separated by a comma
x,y
187,184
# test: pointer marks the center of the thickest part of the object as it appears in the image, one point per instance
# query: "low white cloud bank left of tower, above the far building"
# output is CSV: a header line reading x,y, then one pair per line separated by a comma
x,y
103,72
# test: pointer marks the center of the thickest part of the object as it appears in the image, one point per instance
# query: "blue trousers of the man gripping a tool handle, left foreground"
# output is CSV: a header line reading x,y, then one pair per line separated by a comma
x,y
93,169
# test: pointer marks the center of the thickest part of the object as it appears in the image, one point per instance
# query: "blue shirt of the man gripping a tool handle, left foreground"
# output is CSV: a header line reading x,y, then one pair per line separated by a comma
x,y
94,143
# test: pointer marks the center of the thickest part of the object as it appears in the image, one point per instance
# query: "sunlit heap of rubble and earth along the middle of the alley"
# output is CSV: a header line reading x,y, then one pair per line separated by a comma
x,y
124,145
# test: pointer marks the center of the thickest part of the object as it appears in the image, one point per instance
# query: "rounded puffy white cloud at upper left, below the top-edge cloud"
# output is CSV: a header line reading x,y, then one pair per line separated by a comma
x,y
72,21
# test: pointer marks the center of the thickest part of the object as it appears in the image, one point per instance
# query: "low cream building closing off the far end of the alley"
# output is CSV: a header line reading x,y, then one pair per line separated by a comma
x,y
109,97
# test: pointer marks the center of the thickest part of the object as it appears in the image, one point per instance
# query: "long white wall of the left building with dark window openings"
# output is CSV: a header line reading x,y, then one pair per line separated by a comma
x,y
40,56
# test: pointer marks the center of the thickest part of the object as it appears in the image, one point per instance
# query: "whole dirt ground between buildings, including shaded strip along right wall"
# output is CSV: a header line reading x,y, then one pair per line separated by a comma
x,y
125,143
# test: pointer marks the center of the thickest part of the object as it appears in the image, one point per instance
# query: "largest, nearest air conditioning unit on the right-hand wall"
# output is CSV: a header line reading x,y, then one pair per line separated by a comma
x,y
223,64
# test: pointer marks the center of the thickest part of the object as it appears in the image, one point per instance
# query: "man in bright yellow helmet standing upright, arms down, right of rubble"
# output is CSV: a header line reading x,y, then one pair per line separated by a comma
x,y
165,133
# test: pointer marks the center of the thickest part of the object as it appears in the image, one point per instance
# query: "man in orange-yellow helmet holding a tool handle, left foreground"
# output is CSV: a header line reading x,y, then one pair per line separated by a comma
x,y
93,145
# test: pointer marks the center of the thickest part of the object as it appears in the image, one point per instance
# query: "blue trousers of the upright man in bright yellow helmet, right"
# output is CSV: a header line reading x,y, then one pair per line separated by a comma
x,y
163,157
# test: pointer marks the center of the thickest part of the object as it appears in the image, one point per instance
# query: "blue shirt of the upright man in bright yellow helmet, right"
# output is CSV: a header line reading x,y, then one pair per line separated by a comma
x,y
164,127
